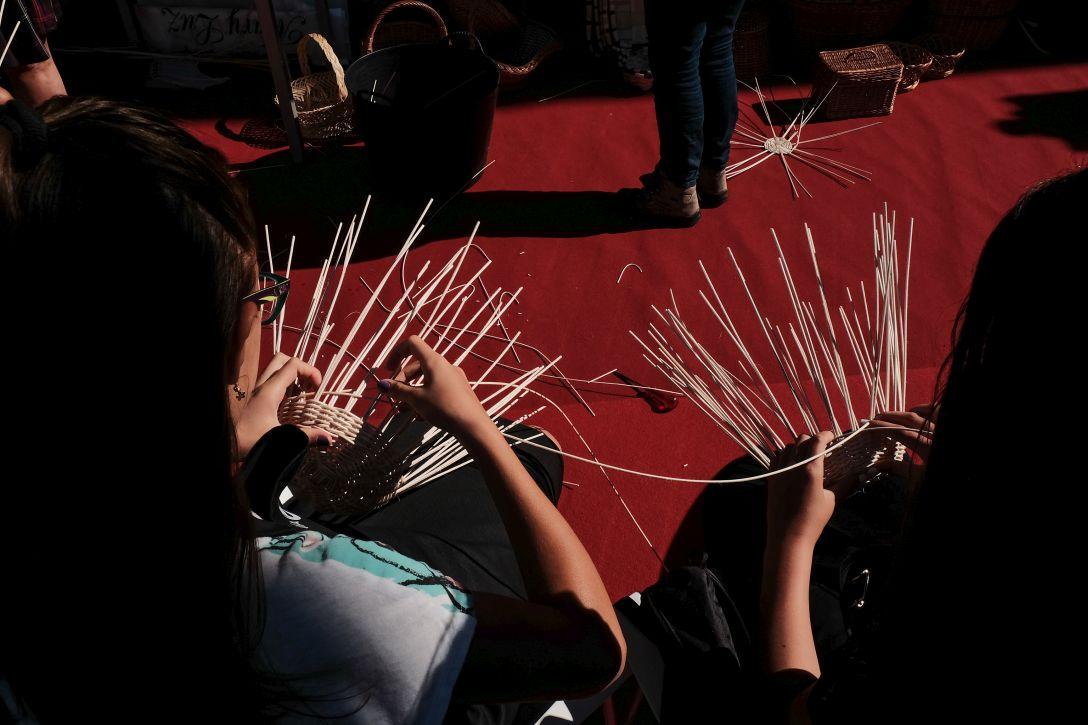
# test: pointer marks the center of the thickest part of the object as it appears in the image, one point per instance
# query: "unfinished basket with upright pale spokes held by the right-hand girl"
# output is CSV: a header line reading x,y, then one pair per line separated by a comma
x,y
810,355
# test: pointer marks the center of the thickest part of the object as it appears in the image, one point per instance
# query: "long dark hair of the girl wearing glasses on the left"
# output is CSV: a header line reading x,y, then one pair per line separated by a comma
x,y
131,574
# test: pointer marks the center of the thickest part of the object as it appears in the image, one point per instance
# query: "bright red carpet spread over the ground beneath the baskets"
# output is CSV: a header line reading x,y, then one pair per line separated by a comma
x,y
954,156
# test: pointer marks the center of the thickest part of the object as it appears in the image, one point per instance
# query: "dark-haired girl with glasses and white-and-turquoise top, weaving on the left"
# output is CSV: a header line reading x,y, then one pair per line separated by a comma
x,y
135,586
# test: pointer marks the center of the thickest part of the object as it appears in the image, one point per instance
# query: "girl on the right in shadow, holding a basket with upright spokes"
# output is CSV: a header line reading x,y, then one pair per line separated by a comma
x,y
979,601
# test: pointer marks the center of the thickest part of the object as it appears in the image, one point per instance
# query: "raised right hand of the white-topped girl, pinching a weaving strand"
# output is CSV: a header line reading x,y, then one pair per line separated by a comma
x,y
444,399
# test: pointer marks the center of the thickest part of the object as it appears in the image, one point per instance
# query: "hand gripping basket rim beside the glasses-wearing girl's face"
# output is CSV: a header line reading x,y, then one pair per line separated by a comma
x,y
261,412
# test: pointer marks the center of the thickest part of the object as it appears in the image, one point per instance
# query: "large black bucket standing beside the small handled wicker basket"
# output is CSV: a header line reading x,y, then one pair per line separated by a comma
x,y
426,113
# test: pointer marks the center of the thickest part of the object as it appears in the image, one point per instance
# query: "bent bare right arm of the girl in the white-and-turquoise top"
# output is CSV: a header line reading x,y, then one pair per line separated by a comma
x,y
565,642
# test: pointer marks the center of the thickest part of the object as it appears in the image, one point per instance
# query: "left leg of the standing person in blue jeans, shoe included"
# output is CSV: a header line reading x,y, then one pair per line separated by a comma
x,y
676,39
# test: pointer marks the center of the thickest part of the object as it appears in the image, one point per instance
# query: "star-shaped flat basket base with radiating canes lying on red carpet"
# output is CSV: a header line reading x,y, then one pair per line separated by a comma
x,y
787,144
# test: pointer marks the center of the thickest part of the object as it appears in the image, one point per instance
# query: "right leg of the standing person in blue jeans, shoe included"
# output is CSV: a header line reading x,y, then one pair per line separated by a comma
x,y
719,77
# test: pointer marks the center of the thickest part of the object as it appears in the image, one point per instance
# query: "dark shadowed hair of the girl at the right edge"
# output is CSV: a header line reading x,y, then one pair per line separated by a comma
x,y
994,536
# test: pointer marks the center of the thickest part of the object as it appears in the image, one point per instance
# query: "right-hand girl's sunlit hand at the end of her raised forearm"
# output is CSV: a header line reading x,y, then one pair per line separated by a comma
x,y
798,505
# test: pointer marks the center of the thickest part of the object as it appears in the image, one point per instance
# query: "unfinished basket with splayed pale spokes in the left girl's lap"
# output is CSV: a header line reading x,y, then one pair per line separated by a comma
x,y
386,450
